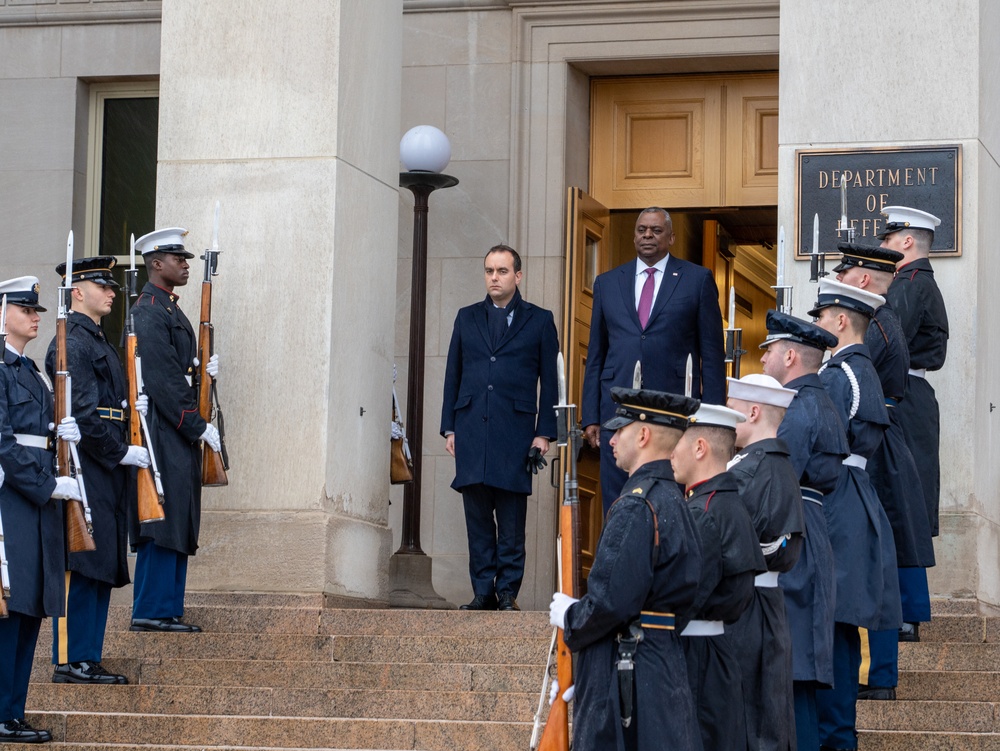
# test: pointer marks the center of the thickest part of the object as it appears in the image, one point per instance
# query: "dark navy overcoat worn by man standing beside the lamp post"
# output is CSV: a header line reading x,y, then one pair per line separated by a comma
x,y
492,400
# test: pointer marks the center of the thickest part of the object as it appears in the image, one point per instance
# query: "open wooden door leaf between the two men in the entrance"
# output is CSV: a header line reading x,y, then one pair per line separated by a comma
x,y
588,253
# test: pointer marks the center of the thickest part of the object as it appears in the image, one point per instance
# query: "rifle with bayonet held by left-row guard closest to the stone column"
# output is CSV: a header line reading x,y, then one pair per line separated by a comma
x,y
214,463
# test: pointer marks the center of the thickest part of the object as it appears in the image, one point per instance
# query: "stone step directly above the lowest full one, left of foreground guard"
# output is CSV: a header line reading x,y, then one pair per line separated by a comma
x,y
286,702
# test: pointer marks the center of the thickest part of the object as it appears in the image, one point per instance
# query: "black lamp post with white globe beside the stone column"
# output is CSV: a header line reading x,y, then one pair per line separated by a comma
x,y
425,151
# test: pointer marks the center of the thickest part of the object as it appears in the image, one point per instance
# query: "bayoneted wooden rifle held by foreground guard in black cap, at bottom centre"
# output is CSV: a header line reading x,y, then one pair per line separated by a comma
x,y
556,734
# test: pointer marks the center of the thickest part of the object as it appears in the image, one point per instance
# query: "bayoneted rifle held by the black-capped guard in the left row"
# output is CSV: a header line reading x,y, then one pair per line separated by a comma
x,y
149,488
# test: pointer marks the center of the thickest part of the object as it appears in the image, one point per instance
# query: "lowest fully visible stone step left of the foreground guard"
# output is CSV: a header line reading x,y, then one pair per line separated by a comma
x,y
206,731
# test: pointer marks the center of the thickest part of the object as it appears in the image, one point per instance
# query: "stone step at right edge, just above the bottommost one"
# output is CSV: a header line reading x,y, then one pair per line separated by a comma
x,y
929,716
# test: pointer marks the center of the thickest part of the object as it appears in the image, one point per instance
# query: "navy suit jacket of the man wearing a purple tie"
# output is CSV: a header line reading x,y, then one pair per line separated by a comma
x,y
685,319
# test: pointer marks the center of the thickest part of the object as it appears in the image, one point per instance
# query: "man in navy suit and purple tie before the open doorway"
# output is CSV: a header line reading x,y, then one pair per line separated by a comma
x,y
656,310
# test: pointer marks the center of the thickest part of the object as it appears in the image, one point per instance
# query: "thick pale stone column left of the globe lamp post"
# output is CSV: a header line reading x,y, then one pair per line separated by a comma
x,y
288,114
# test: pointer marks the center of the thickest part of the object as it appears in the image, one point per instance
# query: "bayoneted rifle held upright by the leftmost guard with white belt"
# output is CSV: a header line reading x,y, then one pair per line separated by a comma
x,y
79,525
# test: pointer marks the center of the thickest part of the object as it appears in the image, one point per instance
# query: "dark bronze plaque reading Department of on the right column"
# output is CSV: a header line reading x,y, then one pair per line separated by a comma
x,y
925,178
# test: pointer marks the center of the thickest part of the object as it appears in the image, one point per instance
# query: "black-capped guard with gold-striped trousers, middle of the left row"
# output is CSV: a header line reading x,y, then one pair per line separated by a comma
x,y
99,394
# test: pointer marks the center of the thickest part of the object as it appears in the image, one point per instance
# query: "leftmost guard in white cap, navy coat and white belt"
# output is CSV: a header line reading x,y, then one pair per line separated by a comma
x,y
30,505
